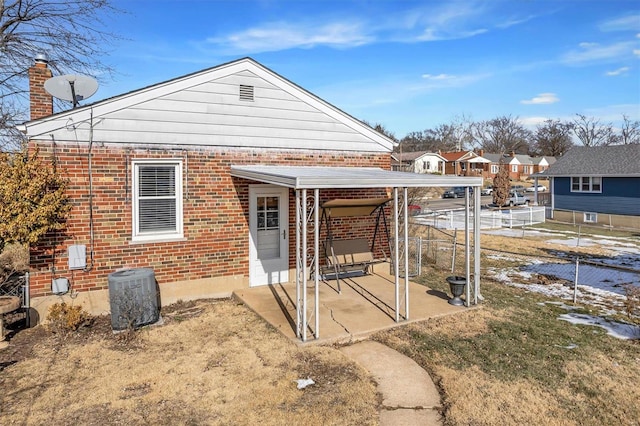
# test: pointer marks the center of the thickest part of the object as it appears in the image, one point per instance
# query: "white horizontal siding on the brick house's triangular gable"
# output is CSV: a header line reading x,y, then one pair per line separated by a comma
x,y
213,109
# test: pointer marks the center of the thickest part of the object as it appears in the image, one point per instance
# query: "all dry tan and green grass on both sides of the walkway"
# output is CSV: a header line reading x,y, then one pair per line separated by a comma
x,y
512,362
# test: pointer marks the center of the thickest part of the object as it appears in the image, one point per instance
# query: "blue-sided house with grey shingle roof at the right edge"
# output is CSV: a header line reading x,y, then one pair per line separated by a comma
x,y
597,185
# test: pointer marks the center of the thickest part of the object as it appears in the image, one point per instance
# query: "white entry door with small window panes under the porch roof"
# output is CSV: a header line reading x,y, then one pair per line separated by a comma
x,y
268,235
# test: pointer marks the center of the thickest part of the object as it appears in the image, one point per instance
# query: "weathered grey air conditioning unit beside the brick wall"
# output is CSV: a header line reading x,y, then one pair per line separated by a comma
x,y
134,298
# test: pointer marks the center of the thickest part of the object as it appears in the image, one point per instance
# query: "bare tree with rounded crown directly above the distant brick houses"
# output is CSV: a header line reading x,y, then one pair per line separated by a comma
x,y
502,134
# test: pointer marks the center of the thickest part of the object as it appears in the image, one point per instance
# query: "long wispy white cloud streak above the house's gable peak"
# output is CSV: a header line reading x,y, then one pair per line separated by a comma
x,y
433,22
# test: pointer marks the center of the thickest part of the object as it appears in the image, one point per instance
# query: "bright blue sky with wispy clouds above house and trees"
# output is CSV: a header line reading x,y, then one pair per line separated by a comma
x,y
408,65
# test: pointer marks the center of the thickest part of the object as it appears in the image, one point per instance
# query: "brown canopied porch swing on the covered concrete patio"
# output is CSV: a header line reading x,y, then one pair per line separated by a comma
x,y
352,256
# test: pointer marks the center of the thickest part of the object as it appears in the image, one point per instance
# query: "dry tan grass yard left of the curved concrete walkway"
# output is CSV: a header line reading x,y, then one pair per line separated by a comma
x,y
212,362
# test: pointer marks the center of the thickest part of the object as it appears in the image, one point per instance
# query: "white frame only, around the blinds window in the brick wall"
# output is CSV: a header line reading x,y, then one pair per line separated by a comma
x,y
176,234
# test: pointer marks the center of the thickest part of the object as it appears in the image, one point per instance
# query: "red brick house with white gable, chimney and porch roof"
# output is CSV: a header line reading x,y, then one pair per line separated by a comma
x,y
199,178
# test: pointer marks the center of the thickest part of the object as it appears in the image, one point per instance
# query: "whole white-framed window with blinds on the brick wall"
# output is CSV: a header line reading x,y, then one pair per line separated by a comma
x,y
157,200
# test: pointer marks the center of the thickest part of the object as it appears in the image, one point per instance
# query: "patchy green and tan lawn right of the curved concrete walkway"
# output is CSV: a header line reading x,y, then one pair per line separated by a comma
x,y
514,363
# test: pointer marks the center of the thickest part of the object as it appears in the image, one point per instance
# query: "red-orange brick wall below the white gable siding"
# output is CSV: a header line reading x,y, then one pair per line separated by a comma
x,y
215,209
